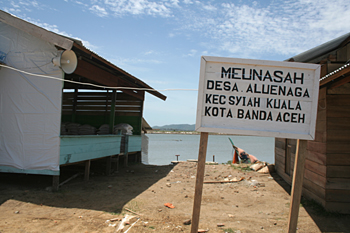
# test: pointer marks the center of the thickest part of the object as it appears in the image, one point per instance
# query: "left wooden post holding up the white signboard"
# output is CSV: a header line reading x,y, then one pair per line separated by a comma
x,y
199,181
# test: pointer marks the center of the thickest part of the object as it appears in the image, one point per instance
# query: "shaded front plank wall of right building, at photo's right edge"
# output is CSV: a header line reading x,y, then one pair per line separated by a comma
x,y
338,149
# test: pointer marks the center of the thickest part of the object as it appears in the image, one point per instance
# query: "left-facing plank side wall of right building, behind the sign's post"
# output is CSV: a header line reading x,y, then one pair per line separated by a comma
x,y
315,164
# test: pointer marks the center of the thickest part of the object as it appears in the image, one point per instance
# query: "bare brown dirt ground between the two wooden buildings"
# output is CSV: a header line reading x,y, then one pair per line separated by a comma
x,y
258,203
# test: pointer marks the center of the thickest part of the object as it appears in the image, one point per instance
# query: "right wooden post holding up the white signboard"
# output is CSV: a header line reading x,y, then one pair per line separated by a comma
x,y
297,186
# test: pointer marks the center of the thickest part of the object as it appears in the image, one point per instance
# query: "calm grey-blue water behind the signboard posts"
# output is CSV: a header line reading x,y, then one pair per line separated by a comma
x,y
163,148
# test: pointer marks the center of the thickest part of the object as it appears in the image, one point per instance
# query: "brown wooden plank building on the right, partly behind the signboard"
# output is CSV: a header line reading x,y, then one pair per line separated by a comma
x,y
327,166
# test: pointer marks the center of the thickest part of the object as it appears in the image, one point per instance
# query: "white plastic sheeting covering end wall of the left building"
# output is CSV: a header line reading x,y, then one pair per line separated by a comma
x,y
30,106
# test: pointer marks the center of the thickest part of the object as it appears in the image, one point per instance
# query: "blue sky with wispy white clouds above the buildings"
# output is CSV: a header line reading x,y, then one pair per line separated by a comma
x,y
161,42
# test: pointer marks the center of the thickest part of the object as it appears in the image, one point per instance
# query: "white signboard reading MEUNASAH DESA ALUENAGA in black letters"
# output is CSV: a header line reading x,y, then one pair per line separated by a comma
x,y
257,97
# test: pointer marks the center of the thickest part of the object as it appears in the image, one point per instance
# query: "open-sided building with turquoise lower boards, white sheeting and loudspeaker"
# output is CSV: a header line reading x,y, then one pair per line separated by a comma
x,y
49,118
